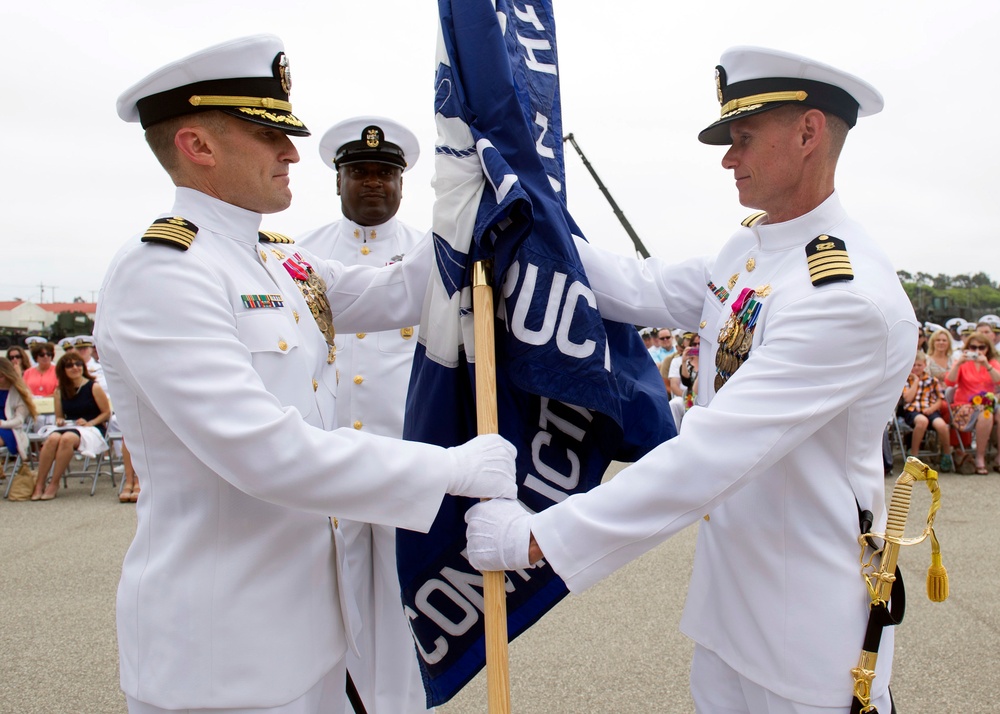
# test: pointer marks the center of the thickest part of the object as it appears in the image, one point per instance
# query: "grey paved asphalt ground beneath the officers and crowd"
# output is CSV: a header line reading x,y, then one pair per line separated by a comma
x,y
615,648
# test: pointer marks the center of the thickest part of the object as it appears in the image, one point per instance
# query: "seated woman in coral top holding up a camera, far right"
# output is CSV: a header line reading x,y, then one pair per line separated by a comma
x,y
975,374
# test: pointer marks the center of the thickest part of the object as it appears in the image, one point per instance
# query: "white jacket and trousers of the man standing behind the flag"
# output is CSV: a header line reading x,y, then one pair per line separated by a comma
x,y
374,370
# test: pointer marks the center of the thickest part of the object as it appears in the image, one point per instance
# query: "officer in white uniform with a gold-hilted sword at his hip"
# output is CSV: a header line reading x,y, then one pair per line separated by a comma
x,y
776,604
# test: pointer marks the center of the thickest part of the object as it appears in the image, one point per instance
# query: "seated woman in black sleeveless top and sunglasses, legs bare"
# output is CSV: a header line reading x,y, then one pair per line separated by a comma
x,y
82,412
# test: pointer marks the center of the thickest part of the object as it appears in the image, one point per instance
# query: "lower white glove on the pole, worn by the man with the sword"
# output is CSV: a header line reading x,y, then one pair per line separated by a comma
x,y
499,534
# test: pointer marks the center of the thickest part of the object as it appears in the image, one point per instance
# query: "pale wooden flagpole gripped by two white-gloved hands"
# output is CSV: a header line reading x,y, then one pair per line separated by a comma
x,y
494,593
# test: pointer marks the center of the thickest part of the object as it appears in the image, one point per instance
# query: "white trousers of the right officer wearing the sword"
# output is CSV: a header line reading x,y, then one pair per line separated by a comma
x,y
719,689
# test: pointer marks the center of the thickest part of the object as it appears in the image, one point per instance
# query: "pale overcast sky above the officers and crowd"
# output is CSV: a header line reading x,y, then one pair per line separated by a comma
x,y
637,83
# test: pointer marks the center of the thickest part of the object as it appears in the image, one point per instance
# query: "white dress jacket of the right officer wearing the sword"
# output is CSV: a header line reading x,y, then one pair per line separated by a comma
x,y
776,590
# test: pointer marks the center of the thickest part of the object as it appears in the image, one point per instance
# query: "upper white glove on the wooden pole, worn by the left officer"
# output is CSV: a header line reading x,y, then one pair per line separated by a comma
x,y
483,468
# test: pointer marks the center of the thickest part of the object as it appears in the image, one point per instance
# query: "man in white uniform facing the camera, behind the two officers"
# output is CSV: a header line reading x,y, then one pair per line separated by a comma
x,y
370,155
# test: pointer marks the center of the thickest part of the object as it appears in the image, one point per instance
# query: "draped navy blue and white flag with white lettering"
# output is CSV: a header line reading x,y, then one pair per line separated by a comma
x,y
573,391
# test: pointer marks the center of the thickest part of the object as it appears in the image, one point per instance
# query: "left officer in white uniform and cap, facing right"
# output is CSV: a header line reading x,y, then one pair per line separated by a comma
x,y
216,341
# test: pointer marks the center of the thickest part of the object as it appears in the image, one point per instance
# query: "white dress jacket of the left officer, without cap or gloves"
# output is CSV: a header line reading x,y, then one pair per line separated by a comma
x,y
230,595
